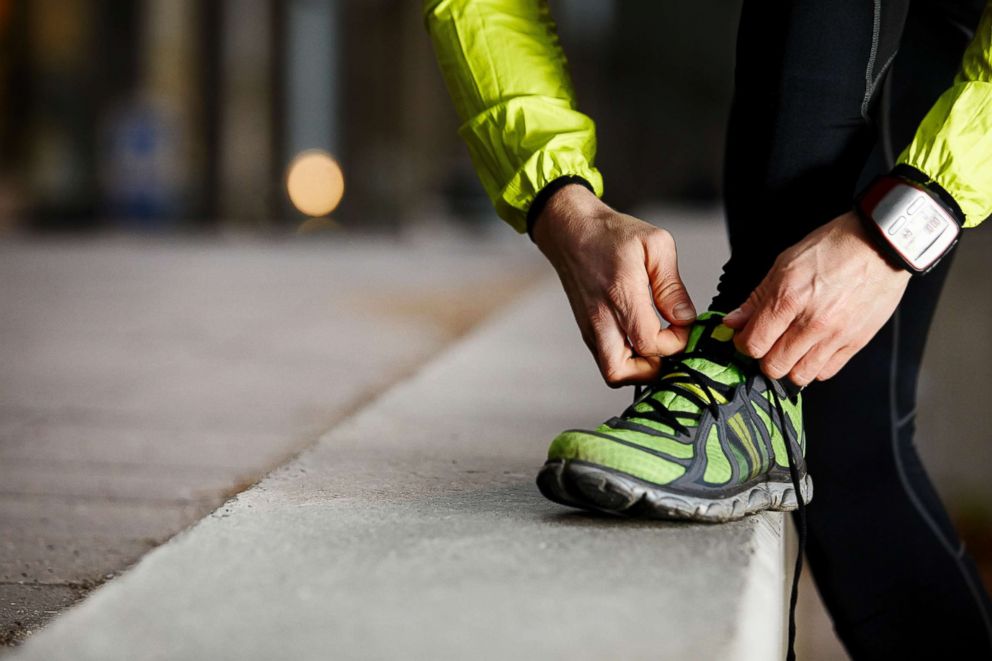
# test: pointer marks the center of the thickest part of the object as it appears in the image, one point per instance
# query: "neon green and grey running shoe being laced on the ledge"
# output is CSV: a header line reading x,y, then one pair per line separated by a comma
x,y
713,439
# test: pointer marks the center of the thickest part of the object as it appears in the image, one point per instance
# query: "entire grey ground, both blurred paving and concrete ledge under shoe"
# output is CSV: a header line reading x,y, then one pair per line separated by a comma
x,y
148,384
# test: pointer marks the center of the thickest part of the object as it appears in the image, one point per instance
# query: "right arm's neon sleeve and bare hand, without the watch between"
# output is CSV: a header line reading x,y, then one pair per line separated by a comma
x,y
828,295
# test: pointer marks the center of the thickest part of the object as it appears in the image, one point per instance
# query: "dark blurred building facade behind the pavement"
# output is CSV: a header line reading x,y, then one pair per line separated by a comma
x,y
177,114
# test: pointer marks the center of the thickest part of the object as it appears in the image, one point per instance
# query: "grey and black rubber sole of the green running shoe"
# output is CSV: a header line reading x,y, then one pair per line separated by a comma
x,y
588,486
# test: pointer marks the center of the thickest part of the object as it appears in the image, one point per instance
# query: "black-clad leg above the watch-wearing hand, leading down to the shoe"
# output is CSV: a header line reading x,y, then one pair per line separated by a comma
x,y
799,132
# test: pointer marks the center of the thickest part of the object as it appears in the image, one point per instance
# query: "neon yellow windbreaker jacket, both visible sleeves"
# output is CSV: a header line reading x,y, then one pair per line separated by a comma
x,y
509,80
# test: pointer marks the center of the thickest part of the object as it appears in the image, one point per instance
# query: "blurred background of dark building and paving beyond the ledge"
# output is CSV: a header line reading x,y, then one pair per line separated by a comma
x,y
152,367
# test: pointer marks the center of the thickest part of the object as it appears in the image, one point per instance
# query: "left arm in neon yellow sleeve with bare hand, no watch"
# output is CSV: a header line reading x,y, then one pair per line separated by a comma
x,y
533,151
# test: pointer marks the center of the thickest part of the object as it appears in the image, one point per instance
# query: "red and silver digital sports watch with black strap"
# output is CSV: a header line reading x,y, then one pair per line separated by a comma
x,y
910,223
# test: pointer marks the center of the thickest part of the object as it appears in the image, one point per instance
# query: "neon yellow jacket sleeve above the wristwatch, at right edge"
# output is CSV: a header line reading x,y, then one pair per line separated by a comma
x,y
953,144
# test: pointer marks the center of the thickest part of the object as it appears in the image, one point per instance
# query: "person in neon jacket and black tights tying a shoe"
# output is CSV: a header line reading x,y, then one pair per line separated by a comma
x,y
821,290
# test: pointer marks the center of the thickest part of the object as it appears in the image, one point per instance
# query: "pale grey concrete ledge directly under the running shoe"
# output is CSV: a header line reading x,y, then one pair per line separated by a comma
x,y
414,530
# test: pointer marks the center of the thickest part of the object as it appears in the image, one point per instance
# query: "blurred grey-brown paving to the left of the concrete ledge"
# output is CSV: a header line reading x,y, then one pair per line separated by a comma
x,y
144,382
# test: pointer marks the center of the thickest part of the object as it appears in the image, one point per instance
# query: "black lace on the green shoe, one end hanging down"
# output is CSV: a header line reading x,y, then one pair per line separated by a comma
x,y
677,372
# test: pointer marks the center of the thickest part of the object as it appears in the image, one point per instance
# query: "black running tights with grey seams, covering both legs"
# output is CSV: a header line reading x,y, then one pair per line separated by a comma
x,y
803,133
